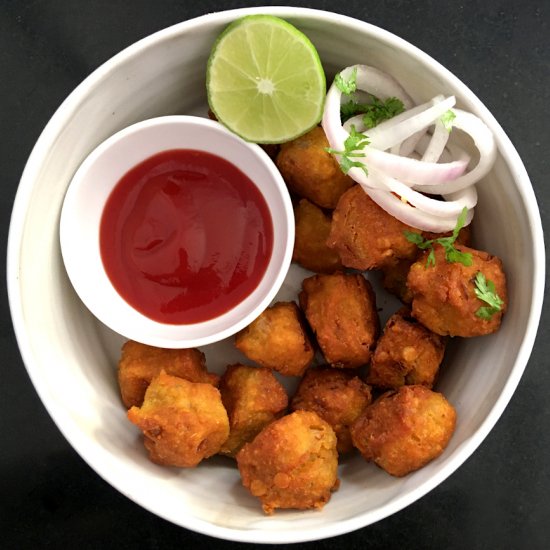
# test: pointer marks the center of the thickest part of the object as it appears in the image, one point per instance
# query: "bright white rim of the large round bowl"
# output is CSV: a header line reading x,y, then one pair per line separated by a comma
x,y
17,224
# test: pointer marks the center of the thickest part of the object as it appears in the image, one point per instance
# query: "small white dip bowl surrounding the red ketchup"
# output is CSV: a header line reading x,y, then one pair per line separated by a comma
x,y
92,185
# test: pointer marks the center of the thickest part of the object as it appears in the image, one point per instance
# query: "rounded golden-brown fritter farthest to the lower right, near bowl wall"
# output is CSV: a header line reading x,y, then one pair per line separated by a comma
x,y
404,430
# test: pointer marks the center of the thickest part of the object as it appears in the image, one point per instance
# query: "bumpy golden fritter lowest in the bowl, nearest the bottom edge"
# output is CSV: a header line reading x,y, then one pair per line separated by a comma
x,y
292,463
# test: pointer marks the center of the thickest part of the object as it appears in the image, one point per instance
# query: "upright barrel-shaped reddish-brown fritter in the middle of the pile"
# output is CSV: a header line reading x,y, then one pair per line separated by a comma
x,y
341,310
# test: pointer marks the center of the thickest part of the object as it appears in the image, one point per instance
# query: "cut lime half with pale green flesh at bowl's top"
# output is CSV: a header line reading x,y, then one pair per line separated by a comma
x,y
265,81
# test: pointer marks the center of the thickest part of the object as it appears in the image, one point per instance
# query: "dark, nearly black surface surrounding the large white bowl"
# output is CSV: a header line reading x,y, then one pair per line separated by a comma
x,y
49,498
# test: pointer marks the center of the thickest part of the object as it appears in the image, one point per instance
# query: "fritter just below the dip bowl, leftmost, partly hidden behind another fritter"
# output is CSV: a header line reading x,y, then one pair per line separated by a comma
x,y
140,363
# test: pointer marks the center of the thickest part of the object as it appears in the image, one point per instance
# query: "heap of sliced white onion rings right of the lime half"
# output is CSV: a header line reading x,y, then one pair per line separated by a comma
x,y
396,181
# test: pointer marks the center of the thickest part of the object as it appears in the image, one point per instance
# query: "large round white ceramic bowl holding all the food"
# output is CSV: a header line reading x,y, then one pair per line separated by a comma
x,y
71,357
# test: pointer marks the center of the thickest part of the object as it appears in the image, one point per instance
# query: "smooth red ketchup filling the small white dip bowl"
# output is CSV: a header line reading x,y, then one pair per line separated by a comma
x,y
185,236
